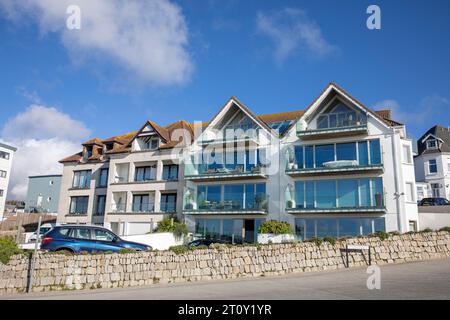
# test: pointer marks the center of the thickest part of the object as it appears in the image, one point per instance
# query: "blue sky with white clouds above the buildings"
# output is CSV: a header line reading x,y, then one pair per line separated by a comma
x,y
168,60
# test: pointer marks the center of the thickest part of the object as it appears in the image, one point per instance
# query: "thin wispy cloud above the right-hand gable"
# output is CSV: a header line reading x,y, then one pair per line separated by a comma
x,y
291,29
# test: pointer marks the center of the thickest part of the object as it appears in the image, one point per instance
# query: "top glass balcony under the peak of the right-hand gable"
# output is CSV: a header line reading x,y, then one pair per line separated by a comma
x,y
333,125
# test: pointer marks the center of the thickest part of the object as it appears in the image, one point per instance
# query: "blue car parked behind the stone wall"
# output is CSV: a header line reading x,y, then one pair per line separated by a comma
x,y
76,239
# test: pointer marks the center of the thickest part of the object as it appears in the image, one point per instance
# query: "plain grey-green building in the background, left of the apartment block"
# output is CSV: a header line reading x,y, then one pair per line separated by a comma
x,y
43,194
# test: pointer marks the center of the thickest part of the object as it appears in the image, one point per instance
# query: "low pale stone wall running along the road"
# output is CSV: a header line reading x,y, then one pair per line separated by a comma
x,y
65,272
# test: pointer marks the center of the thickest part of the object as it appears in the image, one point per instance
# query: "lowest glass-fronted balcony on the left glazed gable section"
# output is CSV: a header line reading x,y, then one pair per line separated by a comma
x,y
258,205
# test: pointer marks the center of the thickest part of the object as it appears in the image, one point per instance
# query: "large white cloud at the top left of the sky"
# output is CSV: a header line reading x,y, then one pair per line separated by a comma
x,y
148,38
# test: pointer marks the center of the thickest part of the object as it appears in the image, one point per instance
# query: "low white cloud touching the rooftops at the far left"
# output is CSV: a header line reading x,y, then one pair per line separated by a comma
x,y
43,136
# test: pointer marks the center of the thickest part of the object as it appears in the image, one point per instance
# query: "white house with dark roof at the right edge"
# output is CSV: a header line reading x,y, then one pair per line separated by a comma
x,y
432,163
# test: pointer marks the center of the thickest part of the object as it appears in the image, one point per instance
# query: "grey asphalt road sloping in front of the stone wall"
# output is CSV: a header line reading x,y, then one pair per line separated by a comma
x,y
418,280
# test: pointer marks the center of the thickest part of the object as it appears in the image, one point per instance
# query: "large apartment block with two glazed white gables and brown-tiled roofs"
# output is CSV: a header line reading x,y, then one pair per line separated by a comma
x,y
335,168
